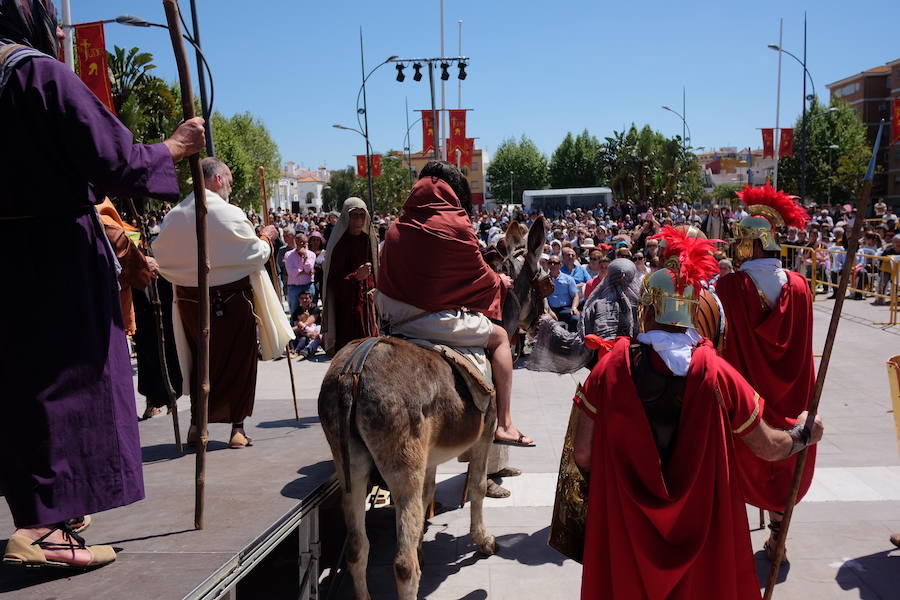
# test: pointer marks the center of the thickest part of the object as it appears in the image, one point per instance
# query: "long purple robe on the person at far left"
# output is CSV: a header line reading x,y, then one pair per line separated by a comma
x,y
71,445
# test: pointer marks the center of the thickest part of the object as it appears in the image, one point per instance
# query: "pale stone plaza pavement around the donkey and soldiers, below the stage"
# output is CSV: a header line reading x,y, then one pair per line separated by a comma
x,y
838,545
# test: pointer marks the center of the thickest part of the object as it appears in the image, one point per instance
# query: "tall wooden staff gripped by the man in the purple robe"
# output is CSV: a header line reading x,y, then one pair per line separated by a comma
x,y
201,359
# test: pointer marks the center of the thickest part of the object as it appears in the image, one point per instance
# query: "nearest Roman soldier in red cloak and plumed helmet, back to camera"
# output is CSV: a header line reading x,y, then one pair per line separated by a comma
x,y
657,431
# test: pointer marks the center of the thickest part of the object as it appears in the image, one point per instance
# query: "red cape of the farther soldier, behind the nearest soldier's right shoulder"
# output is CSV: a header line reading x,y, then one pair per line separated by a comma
x,y
772,349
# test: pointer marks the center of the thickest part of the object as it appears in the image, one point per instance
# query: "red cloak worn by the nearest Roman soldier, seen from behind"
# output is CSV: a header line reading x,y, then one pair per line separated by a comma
x,y
678,534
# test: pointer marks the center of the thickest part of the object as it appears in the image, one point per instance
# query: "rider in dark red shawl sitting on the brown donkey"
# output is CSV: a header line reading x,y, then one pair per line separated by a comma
x,y
434,284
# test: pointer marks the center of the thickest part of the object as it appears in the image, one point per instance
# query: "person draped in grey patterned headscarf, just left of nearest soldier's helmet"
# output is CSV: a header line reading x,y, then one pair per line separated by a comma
x,y
609,312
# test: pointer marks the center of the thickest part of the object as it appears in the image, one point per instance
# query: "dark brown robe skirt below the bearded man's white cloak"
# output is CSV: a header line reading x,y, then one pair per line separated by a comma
x,y
232,338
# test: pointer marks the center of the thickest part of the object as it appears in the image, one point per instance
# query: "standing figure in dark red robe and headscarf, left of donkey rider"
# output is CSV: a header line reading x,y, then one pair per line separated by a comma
x,y
351,262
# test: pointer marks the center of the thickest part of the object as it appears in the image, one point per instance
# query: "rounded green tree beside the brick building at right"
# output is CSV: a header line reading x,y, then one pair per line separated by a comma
x,y
833,176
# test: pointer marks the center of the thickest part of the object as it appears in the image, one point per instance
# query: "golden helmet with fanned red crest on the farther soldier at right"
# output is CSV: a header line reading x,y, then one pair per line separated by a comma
x,y
767,210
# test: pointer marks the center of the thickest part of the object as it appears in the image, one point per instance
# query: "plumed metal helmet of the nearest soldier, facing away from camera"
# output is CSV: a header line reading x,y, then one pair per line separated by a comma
x,y
674,290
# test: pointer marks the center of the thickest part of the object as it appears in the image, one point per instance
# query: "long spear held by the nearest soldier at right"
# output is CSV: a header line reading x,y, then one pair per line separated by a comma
x,y
853,243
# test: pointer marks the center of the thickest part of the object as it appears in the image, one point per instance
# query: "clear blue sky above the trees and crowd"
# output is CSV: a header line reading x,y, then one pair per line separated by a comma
x,y
536,68
